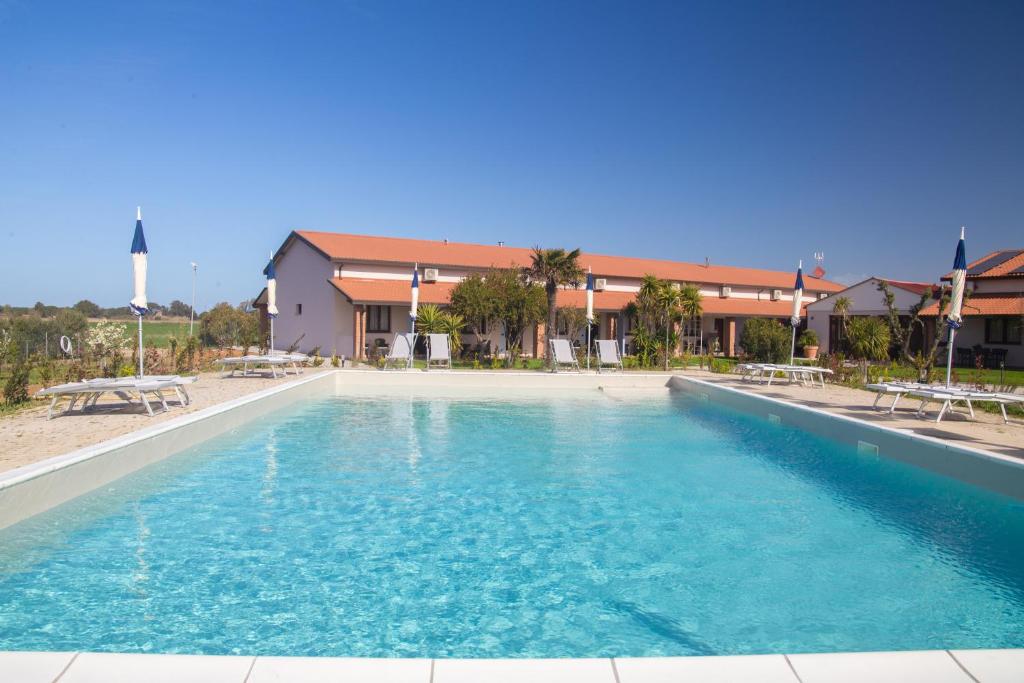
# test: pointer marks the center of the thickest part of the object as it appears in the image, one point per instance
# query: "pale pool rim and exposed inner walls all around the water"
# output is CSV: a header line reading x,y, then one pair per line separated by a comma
x,y
33,489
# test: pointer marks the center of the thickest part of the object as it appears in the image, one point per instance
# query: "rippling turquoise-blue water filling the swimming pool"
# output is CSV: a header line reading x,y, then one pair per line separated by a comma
x,y
407,528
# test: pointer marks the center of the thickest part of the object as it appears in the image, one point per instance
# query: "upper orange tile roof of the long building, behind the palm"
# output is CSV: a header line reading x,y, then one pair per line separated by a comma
x,y
433,253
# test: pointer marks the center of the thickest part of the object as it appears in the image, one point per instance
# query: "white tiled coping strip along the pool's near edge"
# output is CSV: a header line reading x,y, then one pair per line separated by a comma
x,y
997,666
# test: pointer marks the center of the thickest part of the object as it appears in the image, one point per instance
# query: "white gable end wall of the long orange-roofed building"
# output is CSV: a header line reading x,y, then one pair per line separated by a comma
x,y
303,278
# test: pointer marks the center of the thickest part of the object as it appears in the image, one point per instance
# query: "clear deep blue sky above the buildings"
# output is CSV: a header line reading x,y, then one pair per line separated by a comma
x,y
753,136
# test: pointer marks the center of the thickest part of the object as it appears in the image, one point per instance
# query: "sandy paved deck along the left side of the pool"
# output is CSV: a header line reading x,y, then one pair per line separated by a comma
x,y
27,437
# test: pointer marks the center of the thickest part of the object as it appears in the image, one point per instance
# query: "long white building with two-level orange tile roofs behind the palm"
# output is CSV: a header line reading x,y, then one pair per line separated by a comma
x,y
344,292
